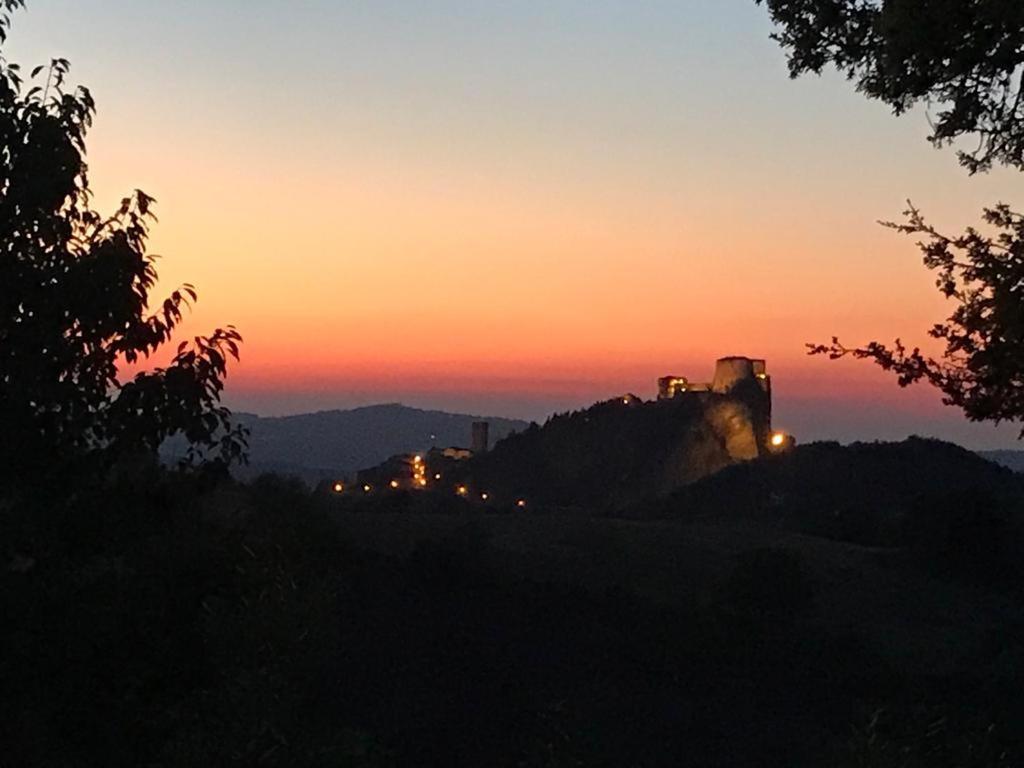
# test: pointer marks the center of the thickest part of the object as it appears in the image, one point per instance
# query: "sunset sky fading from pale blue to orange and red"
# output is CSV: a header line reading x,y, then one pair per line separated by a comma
x,y
517,207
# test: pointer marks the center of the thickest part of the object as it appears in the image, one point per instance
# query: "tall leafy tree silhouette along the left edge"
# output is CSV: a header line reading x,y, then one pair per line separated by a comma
x,y
75,302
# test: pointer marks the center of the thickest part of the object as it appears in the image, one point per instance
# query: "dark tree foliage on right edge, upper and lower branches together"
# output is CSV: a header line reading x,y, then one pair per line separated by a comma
x,y
967,60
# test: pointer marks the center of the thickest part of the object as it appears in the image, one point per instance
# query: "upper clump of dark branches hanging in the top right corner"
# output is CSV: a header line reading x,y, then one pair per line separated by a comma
x,y
965,58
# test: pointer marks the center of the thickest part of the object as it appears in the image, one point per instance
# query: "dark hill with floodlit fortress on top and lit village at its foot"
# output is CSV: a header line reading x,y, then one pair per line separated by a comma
x,y
614,453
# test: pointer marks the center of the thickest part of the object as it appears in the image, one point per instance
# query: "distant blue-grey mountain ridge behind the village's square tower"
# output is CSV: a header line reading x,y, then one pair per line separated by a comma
x,y
331,444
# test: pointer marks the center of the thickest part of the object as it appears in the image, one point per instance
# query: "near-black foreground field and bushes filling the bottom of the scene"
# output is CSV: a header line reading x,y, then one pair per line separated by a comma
x,y
181,620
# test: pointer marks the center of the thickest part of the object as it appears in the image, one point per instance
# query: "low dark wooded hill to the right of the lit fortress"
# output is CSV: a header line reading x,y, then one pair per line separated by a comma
x,y
877,494
